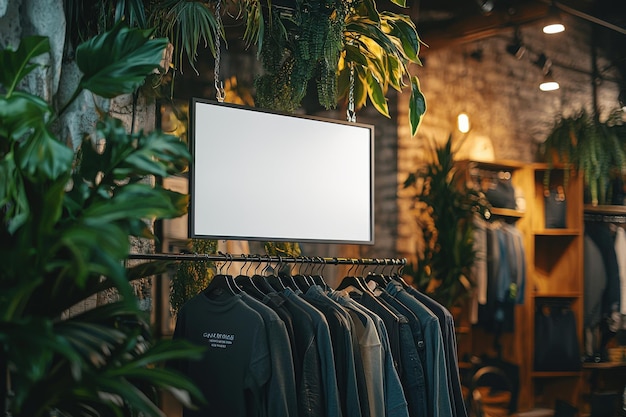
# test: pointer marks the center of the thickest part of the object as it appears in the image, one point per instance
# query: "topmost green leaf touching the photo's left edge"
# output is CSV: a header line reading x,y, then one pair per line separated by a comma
x,y
17,64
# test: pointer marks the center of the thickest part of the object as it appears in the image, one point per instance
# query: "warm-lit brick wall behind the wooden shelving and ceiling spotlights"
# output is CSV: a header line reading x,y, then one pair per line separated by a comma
x,y
500,94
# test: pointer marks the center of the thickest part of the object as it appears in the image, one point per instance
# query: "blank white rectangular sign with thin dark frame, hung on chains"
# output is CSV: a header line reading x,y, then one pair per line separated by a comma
x,y
259,175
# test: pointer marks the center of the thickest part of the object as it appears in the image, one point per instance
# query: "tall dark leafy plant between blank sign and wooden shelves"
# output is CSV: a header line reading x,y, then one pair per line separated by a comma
x,y
444,208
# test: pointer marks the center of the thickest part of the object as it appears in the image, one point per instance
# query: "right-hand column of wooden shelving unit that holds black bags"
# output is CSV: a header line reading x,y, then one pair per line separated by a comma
x,y
554,274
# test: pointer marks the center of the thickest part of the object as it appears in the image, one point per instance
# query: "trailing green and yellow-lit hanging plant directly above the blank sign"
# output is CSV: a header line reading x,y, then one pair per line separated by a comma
x,y
324,41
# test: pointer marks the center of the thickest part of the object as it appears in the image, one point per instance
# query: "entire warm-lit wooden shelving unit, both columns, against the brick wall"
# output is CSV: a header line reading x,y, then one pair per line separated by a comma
x,y
554,272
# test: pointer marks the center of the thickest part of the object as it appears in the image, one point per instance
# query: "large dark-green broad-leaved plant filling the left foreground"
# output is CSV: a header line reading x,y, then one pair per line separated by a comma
x,y
66,221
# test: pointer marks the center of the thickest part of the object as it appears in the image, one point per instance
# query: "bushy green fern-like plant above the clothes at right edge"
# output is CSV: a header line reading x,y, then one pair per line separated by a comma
x,y
582,143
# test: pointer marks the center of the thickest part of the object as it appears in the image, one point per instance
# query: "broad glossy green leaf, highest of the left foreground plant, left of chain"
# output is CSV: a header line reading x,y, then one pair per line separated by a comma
x,y
117,62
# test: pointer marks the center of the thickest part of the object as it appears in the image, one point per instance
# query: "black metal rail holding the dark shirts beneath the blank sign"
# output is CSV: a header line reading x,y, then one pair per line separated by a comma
x,y
225,257
